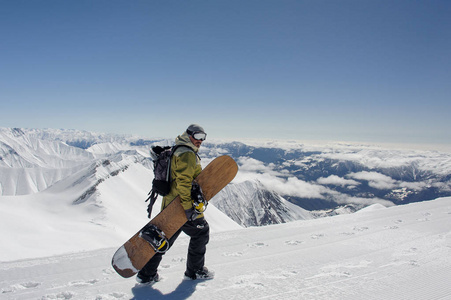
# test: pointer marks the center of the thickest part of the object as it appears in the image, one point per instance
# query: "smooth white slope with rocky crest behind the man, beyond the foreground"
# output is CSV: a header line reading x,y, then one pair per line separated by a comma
x,y
100,206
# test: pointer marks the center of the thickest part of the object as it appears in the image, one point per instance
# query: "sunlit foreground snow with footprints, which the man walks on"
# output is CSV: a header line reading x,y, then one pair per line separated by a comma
x,y
400,252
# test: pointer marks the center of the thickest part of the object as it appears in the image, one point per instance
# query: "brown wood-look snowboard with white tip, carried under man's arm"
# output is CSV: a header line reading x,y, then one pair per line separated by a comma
x,y
136,252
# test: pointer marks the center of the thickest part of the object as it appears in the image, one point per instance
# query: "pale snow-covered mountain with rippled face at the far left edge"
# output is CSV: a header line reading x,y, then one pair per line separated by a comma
x,y
29,165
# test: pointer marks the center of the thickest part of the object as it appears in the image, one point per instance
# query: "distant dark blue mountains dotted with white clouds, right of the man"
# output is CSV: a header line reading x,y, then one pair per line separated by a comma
x,y
330,175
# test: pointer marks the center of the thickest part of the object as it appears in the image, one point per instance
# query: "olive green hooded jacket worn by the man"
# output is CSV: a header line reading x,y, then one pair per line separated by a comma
x,y
185,166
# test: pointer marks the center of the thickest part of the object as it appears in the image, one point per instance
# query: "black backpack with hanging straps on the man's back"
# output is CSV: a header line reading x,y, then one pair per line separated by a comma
x,y
161,184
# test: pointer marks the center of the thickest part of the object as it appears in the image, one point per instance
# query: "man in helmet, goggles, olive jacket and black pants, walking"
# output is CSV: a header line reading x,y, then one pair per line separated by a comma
x,y
185,166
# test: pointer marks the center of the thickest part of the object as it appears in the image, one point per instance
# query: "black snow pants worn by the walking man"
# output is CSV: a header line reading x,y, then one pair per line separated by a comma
x,y
199,232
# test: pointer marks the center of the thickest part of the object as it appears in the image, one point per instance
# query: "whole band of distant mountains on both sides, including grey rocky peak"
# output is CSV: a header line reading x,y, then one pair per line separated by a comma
x,y
277,181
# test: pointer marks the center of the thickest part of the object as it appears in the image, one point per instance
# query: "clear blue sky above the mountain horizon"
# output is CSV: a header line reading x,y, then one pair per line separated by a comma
x,y
368,71
